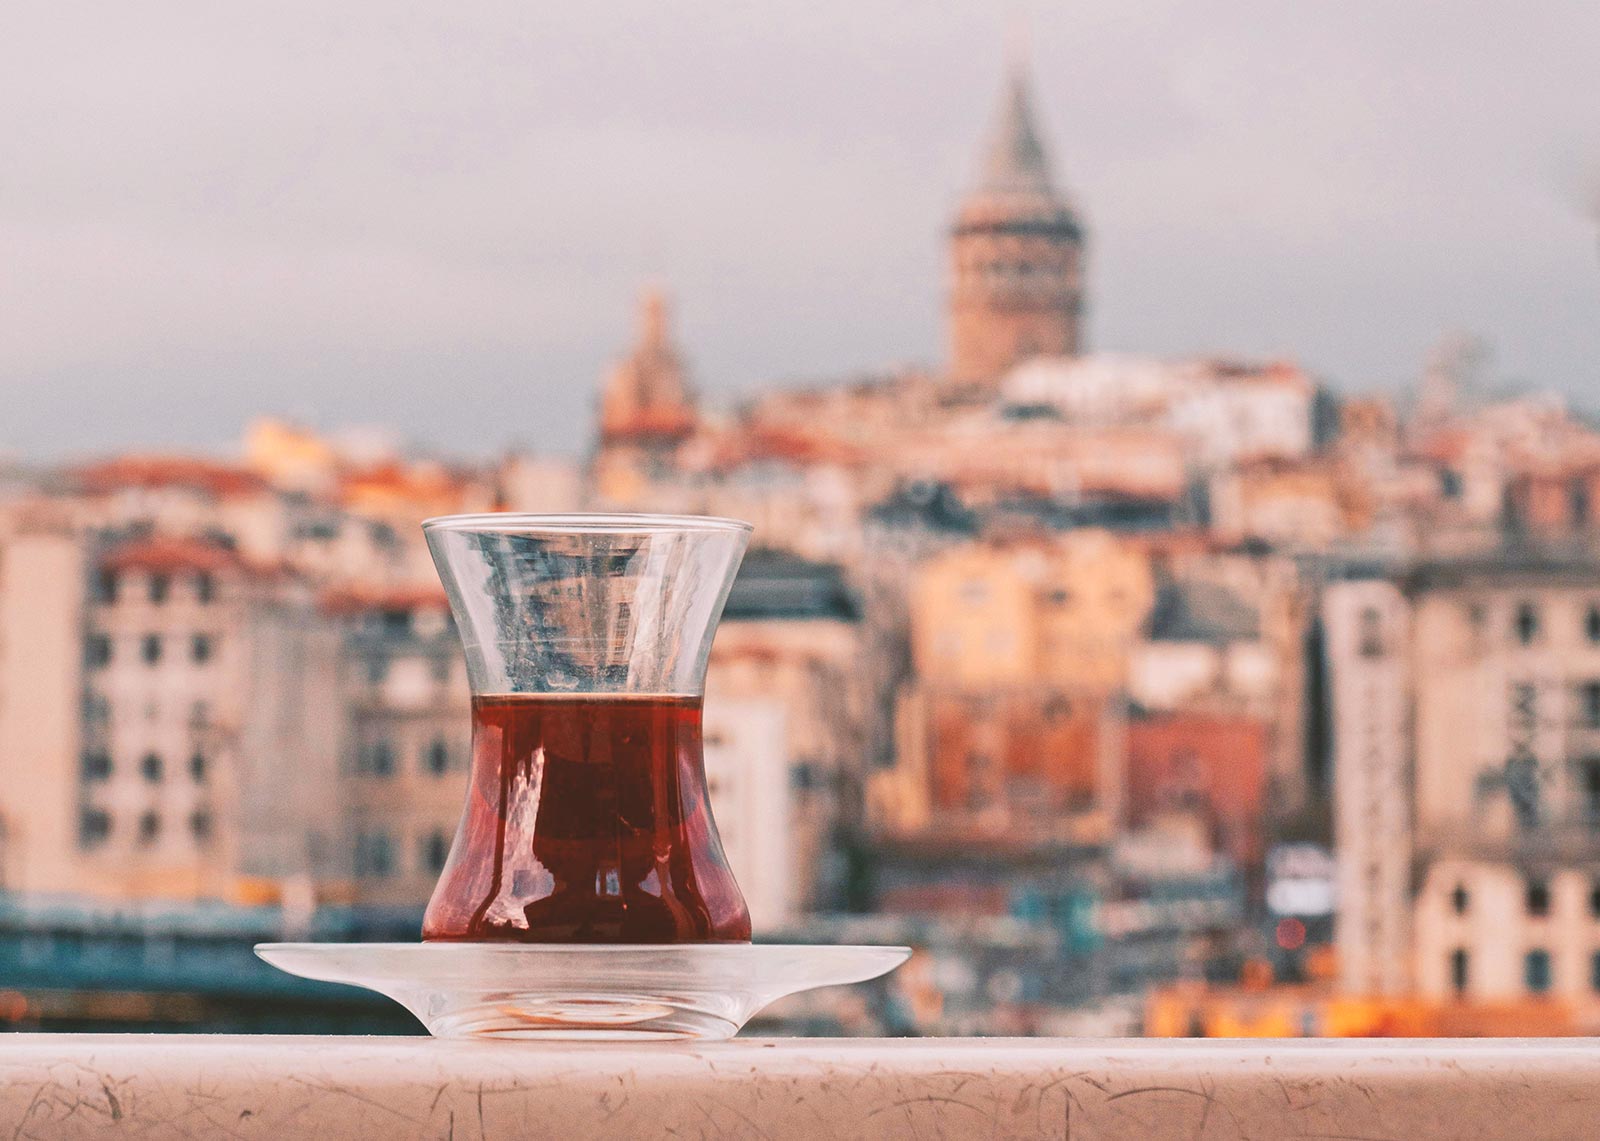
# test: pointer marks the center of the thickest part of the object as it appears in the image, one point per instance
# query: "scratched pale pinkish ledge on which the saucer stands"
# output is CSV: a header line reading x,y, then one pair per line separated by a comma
x,y
1084,1091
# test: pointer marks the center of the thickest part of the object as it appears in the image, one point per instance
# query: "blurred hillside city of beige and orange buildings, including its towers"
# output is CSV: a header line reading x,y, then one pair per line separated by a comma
x,y
1140,695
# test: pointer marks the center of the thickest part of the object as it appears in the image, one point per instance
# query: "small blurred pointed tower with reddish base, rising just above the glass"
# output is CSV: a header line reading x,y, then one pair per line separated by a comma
x,y
647,410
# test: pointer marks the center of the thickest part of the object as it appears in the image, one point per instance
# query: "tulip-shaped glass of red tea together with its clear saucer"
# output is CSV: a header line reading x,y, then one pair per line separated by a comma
x,y
586,894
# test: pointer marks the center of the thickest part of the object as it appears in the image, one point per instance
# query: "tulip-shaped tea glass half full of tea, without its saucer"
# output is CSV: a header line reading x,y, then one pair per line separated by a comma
x,y
588,817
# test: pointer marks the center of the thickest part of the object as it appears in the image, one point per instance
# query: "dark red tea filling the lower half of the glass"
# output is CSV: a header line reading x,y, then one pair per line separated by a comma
x,y
588,822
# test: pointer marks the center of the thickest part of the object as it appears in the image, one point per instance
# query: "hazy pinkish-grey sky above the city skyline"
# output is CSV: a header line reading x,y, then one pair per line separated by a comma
x,y
438,217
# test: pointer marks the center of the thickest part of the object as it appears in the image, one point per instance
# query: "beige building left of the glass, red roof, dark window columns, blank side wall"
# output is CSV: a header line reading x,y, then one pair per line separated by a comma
x,y
209,727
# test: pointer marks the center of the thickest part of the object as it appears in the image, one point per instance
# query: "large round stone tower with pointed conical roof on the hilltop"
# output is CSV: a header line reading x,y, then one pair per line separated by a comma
x,y
1017,255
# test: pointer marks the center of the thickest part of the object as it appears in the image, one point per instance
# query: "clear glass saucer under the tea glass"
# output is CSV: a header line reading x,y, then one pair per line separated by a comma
x,y
583,991
